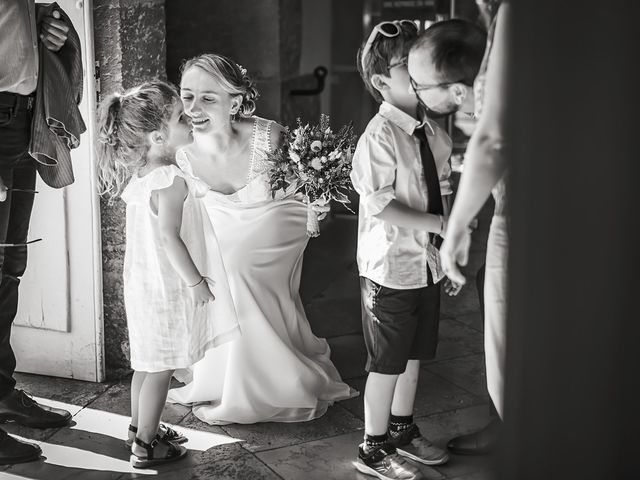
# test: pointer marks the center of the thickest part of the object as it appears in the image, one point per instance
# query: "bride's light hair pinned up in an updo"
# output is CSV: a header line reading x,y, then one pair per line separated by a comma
x,y
232,77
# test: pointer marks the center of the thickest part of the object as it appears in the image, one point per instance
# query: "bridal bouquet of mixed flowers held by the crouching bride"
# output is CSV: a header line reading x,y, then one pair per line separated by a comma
x,y
316,162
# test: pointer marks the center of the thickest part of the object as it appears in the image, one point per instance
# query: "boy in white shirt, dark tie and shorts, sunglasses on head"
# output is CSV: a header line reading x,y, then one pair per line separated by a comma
x,y
401,172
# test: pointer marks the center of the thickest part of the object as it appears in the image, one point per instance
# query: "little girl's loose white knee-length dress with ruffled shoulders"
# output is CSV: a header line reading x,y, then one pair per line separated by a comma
x,y
166,329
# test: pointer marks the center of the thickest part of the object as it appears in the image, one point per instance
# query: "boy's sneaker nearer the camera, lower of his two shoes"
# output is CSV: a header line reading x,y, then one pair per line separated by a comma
x,y
385,463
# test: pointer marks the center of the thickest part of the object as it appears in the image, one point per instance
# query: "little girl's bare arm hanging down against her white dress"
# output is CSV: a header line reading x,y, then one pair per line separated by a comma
x,y
170,204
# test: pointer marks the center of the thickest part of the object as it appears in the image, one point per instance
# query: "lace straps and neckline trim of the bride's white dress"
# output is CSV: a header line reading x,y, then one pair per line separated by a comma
x,y
256,189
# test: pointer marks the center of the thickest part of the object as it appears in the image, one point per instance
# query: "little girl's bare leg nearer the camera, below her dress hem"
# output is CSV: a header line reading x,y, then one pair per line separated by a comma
x,y
153,396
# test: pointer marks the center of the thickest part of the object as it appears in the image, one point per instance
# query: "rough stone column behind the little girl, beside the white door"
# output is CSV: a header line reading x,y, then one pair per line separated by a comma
x,y
130,44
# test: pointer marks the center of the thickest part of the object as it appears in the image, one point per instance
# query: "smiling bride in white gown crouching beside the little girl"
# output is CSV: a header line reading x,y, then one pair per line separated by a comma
x,y
278,370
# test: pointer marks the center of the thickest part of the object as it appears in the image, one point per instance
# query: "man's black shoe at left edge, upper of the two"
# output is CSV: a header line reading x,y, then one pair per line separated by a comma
x,y
21,408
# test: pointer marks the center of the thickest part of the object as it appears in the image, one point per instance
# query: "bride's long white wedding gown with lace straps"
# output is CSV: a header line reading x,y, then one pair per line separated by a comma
x,y
277,370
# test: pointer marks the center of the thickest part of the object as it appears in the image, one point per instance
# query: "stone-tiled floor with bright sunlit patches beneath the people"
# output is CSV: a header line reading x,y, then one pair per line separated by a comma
x,y
451,399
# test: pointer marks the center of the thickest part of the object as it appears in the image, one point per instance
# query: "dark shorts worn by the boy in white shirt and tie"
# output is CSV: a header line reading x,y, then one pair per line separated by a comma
x,y
399,325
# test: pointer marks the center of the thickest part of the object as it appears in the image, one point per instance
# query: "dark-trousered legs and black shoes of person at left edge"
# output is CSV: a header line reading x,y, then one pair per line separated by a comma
x,y
18,172
